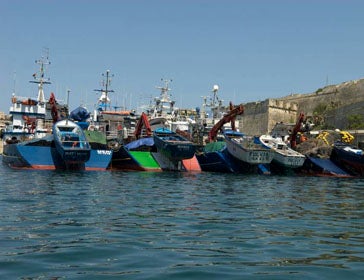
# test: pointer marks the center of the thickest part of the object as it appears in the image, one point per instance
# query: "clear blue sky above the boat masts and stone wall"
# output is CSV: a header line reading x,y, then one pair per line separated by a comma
x,y
251,49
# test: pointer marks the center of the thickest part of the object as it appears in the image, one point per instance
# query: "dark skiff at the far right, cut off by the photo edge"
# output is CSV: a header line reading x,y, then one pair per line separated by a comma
x,y
348,157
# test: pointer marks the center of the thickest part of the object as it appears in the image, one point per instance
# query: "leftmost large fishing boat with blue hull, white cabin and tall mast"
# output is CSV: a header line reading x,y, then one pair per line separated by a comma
x,y
27,140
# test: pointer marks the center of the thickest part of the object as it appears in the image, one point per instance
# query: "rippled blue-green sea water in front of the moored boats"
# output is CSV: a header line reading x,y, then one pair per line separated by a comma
x,y
140,225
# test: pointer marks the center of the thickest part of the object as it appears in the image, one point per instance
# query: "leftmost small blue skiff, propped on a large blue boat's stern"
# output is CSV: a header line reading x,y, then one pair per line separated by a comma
x,y
72,148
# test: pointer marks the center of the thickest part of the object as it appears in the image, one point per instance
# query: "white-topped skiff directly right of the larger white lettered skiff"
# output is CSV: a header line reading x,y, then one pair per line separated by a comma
x,y
284,157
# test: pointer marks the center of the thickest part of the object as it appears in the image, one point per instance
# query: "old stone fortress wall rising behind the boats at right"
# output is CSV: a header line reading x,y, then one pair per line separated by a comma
x,y
337,101
